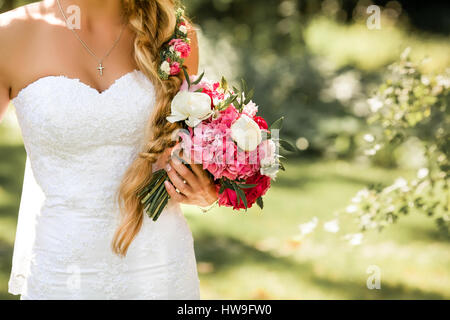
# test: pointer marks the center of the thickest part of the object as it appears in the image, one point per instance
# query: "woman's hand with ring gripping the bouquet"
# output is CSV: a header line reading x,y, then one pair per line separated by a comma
x,y
195,187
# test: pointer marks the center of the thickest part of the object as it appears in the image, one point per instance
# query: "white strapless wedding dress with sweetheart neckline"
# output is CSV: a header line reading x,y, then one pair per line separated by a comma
x,y
79,143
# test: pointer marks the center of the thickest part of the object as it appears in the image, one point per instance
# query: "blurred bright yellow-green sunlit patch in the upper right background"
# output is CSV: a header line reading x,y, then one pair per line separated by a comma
x,y
372,49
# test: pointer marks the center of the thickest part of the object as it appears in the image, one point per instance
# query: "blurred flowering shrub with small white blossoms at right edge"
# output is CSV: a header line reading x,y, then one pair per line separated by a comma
x,y
411,105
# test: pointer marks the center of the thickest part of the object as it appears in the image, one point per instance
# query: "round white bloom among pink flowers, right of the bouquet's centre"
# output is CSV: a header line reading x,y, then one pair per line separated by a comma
x,y
246,133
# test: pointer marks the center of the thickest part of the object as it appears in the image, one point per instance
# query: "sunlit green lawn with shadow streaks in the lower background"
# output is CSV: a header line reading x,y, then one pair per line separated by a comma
x,y
251,255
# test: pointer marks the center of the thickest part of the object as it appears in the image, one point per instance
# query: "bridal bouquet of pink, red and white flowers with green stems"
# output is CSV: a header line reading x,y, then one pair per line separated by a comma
x,y
221,131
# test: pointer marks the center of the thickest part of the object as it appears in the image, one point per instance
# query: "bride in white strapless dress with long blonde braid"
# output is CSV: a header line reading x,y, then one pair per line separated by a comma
x,y
92,109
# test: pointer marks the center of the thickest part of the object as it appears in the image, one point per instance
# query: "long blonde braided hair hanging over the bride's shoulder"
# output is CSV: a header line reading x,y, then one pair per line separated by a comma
x,y
153,22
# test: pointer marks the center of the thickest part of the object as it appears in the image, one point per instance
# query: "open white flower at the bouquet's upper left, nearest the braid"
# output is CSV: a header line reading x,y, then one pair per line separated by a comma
x,y
193,107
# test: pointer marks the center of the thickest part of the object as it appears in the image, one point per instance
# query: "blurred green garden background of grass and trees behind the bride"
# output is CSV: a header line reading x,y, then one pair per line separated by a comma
x,y
317,63
